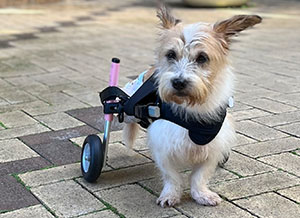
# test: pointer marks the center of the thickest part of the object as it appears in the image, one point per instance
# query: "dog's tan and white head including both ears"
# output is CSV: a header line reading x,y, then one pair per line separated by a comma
x,y
190,58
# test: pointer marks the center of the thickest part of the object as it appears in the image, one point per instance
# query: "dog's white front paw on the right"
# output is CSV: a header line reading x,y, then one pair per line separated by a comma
x,y
207,198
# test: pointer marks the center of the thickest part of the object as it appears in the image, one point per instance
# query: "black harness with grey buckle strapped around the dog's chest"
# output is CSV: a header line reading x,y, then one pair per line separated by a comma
x,y
146,105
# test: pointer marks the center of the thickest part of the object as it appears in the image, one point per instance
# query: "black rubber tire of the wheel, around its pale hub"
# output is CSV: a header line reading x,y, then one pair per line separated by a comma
x,y
97,152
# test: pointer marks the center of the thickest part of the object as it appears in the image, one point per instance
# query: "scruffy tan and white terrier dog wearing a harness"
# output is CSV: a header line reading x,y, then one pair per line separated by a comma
x,y
194,75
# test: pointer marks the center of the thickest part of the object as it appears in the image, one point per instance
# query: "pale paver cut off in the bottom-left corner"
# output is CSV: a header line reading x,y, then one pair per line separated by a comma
x,y
36,211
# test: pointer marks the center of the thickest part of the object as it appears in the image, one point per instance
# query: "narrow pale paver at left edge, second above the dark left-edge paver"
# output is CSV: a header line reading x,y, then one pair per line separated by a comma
x,y
22,130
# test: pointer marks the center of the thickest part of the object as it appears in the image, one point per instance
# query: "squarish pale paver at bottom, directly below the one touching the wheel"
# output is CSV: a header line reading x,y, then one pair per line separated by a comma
x,y
73,200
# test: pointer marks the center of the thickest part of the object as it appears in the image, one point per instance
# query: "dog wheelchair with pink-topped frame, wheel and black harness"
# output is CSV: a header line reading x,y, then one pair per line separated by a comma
x,y
146,106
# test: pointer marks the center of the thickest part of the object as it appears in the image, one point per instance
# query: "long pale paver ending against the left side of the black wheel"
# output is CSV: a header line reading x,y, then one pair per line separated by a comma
x,y
47,176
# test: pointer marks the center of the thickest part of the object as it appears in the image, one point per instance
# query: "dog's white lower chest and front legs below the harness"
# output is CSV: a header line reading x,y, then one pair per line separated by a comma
x,y
174,148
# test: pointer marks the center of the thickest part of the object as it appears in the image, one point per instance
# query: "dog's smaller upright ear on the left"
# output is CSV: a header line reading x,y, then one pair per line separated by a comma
x,y
167,19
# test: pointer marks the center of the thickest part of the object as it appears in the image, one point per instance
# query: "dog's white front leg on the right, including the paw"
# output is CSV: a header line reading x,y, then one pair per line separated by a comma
x,y
199,179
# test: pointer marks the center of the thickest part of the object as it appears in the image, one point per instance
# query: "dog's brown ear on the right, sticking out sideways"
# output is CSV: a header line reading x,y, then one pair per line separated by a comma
x,y
236,24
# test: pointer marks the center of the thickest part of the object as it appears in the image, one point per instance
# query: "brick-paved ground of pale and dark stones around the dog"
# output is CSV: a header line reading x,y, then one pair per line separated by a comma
x,y
55,58
